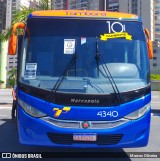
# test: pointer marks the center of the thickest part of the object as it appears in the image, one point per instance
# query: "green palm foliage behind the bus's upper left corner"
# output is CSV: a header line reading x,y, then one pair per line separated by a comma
x,y
21,16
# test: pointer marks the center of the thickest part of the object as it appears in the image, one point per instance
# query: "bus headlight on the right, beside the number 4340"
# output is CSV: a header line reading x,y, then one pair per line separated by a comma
x,y
138,113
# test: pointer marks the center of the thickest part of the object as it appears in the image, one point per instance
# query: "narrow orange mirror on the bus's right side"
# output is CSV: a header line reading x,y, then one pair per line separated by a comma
x,y
149,44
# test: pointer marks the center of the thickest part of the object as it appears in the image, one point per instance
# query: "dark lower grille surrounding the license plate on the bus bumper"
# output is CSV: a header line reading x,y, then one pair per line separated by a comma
x,y
68,139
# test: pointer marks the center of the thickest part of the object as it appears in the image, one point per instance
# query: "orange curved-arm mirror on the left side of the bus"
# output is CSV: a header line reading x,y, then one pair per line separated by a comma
x,y
14,39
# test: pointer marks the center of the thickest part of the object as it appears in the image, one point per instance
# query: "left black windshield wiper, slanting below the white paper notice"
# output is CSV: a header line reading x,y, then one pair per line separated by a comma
x,y
60,79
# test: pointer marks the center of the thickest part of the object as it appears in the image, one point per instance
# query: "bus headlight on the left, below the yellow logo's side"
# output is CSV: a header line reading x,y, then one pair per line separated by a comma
x,y
30,109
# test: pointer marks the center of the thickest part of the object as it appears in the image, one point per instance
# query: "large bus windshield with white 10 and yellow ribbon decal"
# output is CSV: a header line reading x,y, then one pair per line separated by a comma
x,y
50,45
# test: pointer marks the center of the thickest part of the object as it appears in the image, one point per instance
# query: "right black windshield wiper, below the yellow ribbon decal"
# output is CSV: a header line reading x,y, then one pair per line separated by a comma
x,y
98,58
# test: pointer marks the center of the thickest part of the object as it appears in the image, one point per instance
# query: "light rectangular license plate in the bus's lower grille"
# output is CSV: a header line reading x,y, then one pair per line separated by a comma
x,y
84,137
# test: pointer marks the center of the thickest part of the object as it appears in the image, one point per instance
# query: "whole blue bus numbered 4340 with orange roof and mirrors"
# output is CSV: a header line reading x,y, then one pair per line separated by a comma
x,y
83,79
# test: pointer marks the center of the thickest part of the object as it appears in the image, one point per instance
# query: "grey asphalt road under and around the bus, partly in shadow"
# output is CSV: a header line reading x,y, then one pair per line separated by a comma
x,y
9,139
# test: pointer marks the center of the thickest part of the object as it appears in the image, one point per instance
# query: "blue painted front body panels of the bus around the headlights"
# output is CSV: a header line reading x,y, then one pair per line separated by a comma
x,y
33,131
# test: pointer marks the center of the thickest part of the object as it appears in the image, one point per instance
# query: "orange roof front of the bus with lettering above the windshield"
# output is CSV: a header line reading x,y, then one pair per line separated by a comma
x,y
84,14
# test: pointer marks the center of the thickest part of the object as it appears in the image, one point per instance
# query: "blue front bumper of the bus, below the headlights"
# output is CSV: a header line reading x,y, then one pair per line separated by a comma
x,y
35,131
